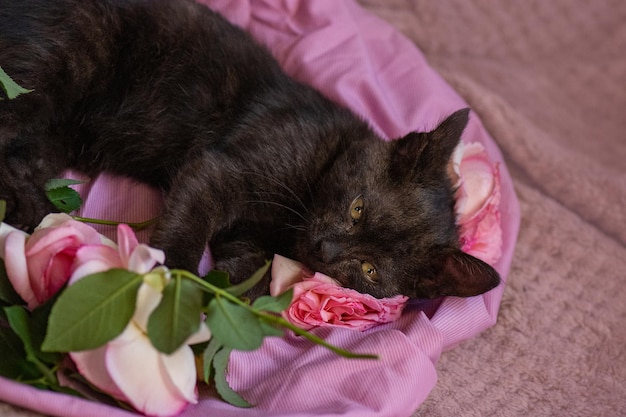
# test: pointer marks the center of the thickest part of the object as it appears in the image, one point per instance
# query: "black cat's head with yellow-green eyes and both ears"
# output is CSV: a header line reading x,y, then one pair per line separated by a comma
x,y
383,219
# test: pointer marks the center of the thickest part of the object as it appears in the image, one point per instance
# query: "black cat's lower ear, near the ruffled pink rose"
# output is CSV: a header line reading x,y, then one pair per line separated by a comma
x,y
460,274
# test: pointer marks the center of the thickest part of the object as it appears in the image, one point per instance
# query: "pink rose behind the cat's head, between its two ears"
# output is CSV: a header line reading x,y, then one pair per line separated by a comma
x,y
478,201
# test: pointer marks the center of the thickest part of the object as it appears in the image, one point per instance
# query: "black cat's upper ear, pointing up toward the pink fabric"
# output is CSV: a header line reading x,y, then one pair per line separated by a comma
x,y
423,152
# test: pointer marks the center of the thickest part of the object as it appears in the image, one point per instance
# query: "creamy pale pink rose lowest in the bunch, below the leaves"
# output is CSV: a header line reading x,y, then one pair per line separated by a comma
x,y
130,369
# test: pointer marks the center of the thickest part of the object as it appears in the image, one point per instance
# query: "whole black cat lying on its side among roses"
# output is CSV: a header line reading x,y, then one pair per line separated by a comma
x,y
251,162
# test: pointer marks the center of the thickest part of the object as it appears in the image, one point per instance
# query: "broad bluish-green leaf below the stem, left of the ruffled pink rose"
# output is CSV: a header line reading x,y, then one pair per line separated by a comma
x,y
233,325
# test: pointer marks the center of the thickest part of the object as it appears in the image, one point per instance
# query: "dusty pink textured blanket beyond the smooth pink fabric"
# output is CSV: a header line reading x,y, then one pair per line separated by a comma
x,y
548,81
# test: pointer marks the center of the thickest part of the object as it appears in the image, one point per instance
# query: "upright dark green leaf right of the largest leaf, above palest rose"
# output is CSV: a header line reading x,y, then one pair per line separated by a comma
x,y
177,317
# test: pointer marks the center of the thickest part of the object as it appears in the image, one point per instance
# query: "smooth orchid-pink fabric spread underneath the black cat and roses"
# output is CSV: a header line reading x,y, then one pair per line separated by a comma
x,y
364,63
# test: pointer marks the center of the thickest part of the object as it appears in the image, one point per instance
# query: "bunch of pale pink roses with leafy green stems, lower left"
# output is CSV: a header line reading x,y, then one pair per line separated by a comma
x,y
129,324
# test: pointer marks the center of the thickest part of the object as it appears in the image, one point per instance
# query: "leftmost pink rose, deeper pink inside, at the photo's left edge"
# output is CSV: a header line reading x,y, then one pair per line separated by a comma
x,y
39,265
